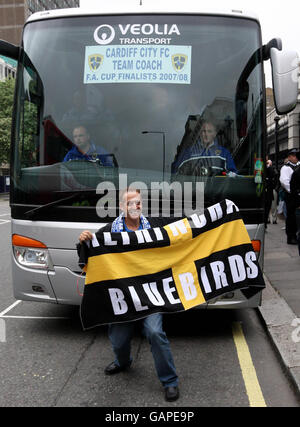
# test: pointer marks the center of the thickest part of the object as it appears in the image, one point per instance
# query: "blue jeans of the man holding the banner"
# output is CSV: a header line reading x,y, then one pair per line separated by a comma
x,y
120,335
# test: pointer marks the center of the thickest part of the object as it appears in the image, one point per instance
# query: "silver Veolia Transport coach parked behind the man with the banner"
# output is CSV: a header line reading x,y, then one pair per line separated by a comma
x,y
136,81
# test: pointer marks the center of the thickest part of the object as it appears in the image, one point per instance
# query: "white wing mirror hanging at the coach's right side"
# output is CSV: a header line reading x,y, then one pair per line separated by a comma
x,y
285,79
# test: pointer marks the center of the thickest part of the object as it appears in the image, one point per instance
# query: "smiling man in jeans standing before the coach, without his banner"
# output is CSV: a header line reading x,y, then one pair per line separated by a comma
x,y
120,334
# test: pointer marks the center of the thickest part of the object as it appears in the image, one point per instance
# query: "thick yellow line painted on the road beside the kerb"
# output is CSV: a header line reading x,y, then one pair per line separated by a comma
x,y
253,389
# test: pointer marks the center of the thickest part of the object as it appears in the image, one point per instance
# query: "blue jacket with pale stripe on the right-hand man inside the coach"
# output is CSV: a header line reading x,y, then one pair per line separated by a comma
x,y
215,156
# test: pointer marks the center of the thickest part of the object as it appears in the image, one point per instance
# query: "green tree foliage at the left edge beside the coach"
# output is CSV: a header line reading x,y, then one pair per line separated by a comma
x,y
6,105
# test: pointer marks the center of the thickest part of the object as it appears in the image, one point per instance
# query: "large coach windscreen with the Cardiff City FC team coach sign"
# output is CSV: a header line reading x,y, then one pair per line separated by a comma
x,y
147,98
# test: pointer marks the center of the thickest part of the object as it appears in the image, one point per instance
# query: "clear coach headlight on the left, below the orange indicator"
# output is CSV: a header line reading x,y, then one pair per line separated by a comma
x,y
32,258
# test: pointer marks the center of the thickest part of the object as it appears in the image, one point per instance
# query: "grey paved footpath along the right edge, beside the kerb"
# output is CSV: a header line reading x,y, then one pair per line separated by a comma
x,y
280,309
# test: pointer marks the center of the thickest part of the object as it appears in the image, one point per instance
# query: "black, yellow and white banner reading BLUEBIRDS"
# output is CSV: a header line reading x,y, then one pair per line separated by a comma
x,y
173,268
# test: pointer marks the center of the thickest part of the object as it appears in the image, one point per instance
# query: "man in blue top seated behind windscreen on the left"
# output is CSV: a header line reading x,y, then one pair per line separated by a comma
x,y
85,149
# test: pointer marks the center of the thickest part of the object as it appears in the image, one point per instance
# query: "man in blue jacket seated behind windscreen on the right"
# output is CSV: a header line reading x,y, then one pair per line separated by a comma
x,y
205,155
